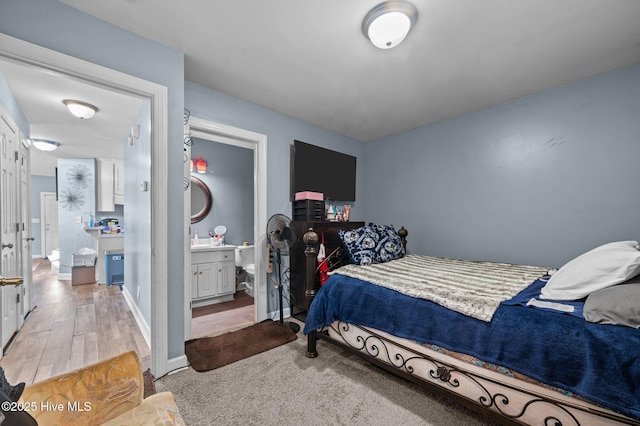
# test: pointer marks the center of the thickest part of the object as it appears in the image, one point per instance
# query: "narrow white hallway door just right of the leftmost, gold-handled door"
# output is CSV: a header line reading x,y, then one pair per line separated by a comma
x,y
26,239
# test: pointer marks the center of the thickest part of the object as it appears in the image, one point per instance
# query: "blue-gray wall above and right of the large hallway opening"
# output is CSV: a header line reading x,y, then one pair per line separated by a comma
x,y
56,26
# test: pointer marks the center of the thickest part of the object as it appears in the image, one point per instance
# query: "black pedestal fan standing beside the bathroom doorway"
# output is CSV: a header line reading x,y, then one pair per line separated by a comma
x,y
281,238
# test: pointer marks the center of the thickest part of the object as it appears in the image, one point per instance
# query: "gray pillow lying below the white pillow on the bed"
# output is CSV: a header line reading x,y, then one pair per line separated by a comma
x,y
618,304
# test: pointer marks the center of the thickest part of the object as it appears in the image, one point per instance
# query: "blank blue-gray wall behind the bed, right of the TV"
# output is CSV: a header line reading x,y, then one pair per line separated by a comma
x,y
537,180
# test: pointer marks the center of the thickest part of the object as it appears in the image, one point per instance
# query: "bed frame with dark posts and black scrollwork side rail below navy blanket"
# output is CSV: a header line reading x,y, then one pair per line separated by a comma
x,y
504,398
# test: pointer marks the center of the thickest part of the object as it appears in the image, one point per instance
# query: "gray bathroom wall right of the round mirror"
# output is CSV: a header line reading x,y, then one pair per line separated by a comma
x,y
230,179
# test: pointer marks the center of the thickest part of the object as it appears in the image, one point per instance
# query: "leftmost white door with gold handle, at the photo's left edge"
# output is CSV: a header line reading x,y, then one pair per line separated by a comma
x,y
9,266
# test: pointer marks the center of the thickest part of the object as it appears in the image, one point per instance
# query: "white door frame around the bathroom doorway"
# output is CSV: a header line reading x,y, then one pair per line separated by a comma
x,y
216,132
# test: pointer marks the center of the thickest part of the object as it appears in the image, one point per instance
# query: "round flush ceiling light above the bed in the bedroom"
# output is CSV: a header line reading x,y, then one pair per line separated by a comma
x,y
387,24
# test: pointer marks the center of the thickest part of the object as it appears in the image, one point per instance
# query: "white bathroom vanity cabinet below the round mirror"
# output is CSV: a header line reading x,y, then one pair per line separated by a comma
x,y
213,274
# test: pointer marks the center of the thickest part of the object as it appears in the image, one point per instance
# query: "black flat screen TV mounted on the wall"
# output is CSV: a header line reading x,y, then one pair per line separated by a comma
x,y
322,170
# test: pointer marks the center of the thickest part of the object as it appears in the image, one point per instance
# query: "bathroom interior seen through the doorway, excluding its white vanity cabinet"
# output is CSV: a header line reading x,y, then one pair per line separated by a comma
x,y
223,175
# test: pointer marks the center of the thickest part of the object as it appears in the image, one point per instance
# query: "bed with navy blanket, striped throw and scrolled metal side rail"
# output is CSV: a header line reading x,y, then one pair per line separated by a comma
x,y
526,360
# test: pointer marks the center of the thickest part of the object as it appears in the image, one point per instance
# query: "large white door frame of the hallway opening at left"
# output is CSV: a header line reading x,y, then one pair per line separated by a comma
x,y
27,53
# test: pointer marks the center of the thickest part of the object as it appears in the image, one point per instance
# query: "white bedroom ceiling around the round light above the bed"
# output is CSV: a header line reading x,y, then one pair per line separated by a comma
x,y
309,59
